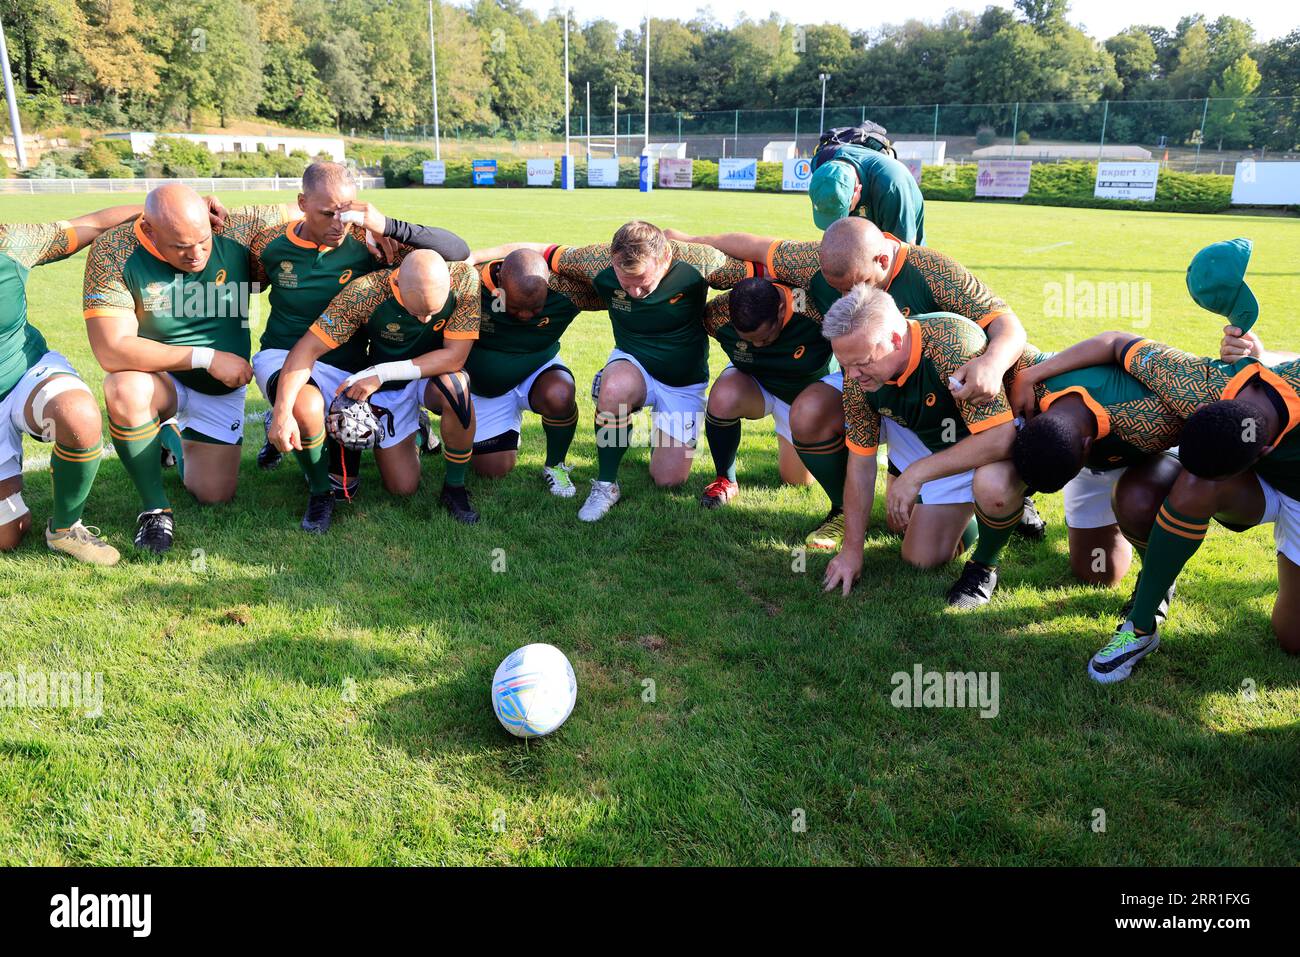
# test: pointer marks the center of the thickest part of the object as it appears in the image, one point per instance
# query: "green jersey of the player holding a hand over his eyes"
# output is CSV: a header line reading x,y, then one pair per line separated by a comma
x,y
304,279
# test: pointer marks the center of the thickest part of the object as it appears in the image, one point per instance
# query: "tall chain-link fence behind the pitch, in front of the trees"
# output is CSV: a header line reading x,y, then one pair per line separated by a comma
x,y
1206,135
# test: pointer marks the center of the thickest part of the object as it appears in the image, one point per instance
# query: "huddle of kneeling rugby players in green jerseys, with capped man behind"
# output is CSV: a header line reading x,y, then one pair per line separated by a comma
x,y
861,341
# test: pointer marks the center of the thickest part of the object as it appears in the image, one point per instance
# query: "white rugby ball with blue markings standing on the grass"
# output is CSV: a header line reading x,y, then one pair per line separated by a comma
x,y
534,691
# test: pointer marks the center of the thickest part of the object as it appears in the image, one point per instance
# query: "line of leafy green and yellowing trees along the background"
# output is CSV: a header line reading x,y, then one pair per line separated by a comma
x,y
365,66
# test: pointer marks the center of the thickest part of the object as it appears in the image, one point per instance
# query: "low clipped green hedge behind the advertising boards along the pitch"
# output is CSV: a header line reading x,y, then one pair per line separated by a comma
x,y
1061,184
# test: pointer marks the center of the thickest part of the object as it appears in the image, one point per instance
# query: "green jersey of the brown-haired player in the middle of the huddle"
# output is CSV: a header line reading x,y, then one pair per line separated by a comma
x,y
664,331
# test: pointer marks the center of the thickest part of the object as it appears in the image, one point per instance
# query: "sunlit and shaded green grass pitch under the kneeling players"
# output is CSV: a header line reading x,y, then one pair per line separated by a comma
x,y
272,698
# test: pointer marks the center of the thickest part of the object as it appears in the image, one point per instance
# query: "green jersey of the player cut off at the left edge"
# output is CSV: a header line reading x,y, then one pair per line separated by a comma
x,y
24,246
